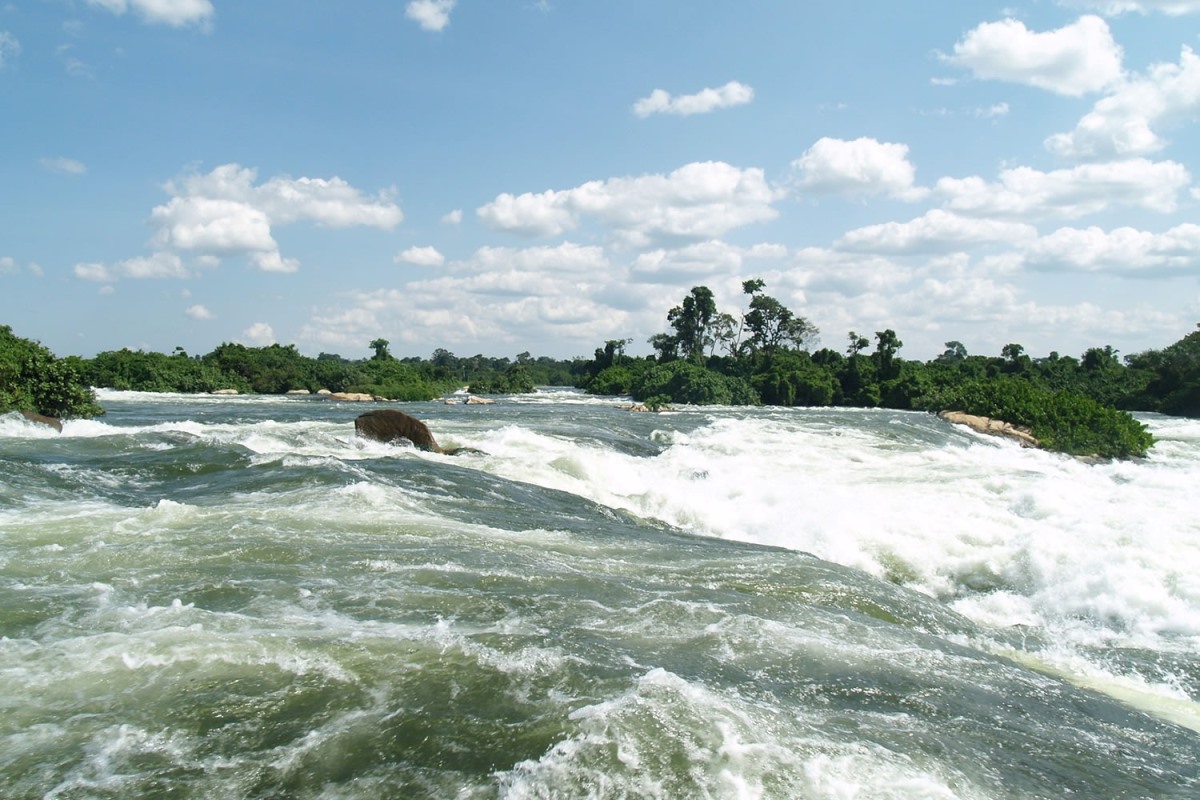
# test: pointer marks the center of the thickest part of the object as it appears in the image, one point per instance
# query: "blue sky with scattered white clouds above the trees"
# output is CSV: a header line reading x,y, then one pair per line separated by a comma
x,y
500,177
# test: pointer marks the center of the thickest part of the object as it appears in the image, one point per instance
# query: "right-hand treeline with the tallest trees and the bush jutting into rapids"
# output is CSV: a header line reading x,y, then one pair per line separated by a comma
x,y
764,356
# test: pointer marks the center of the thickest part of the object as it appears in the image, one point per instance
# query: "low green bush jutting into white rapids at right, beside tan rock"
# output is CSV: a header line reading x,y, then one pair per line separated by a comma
x,y
1061,422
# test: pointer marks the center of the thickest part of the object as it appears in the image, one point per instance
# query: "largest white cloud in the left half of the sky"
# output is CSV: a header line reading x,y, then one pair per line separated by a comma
x,y
224,213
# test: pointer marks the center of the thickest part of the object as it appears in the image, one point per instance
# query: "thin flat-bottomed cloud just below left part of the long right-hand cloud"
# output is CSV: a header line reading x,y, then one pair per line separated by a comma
x,y
937,232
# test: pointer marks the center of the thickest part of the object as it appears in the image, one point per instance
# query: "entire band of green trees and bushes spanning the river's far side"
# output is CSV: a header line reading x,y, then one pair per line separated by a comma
x,y
765,354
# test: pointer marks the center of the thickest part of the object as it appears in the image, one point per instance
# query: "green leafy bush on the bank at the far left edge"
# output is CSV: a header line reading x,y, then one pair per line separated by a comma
x,y
34,380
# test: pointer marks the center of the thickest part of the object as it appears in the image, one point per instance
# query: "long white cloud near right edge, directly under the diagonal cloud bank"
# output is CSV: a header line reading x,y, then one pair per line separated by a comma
x,y
1031,195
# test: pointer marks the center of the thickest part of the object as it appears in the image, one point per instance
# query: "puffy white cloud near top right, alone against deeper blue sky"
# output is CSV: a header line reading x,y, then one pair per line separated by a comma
x,y
1073,61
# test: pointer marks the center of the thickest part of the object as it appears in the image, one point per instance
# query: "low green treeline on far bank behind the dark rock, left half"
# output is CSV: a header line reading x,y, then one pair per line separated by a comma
x,y
278,369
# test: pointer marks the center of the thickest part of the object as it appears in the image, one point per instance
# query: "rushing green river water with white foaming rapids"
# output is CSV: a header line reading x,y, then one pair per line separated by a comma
x,y
237,598
